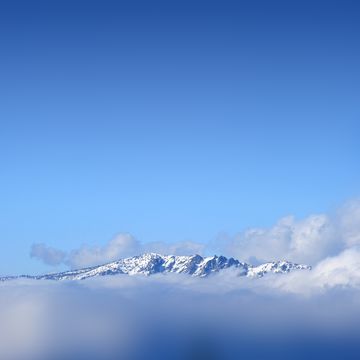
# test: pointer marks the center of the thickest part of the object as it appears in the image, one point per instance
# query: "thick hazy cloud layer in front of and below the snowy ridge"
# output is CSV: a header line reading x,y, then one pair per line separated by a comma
x,y
304,315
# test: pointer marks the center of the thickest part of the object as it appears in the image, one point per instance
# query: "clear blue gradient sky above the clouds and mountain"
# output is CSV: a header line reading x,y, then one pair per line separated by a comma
x,y
172,120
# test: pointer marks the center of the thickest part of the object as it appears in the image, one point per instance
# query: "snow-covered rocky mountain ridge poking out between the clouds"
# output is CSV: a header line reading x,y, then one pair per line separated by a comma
x,y
148,264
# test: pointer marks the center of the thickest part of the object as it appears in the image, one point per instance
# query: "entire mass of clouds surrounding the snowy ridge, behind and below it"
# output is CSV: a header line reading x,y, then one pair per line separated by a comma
x,y
302,315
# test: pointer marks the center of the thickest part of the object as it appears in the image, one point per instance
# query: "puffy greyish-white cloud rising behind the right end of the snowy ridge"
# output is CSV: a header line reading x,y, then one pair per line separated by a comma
x,y
309,240
